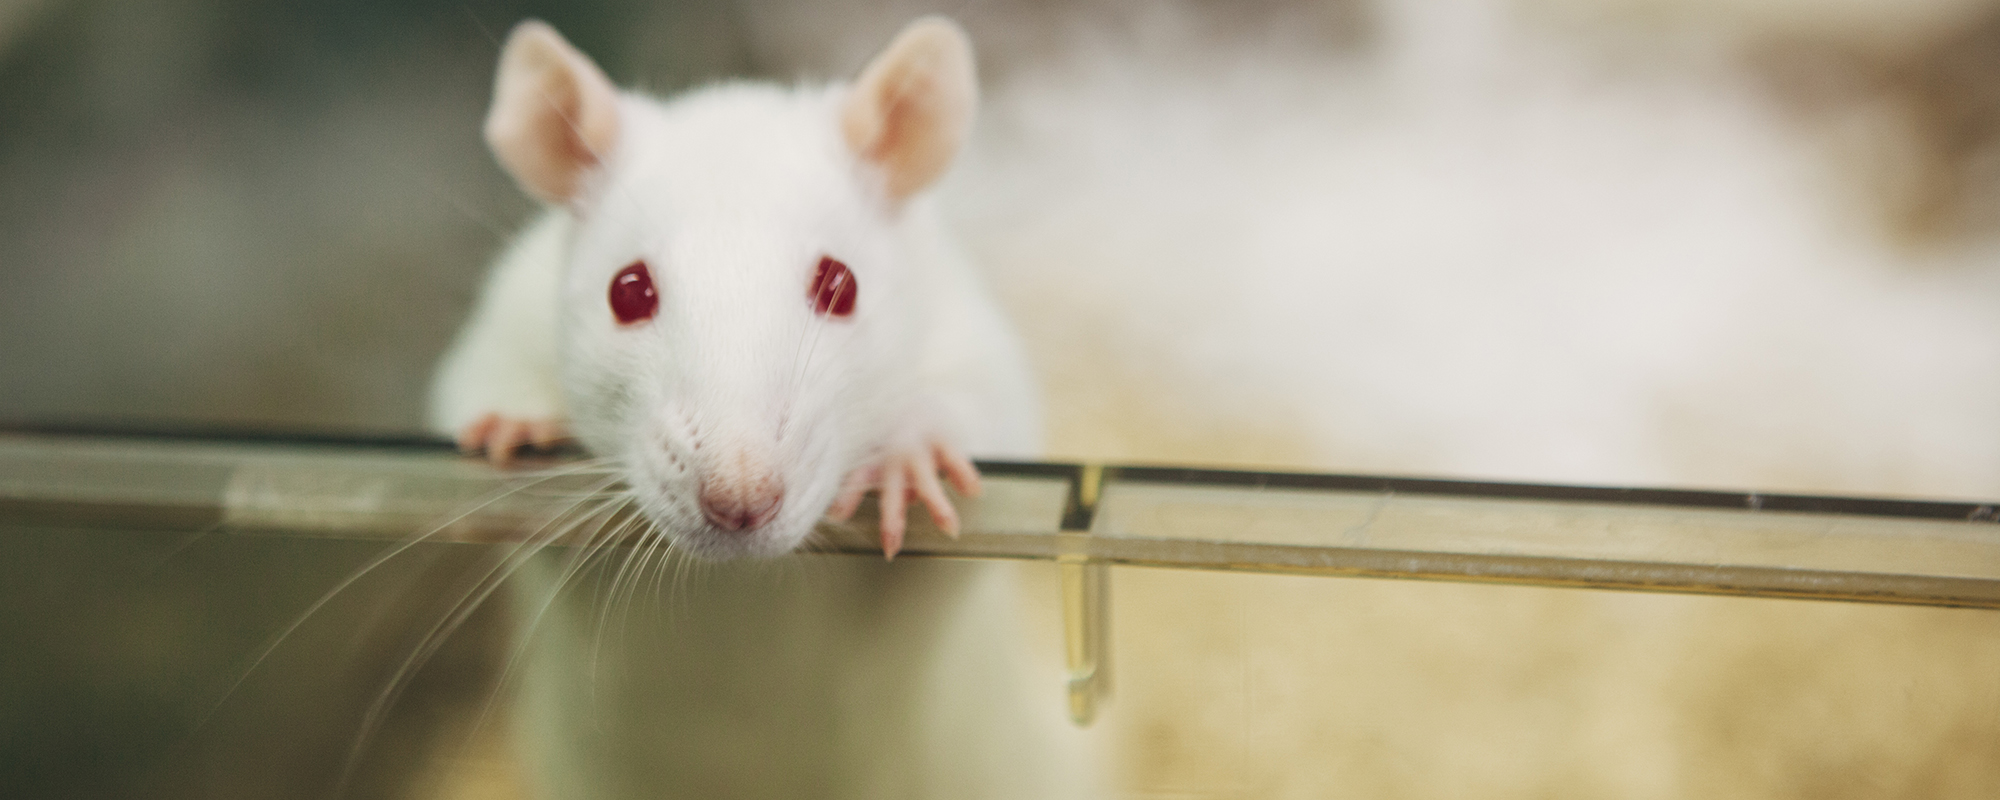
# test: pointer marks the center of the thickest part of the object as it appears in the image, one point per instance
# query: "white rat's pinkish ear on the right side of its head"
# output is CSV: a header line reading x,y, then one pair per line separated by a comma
x,y
913,105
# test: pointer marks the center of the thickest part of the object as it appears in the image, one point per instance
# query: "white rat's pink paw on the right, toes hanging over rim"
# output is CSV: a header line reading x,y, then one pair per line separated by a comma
x,y
899,477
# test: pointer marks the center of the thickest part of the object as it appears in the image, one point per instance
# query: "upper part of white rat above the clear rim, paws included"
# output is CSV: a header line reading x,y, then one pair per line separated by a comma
x,y
739,399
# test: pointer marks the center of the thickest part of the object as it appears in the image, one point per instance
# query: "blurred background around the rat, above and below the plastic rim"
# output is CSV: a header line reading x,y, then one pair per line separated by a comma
x,y
1703,243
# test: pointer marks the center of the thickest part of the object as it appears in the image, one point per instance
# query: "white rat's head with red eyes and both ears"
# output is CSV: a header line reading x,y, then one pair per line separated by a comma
x,y
739,303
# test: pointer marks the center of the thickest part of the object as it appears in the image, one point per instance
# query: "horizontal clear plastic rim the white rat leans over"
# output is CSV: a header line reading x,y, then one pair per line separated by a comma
x,y
1761,545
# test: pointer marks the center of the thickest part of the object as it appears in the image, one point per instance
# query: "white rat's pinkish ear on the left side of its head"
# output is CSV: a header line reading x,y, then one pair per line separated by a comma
x,y
555,115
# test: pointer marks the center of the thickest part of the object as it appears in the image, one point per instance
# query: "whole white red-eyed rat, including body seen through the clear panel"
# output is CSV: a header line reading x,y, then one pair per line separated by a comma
x,y
745,301
